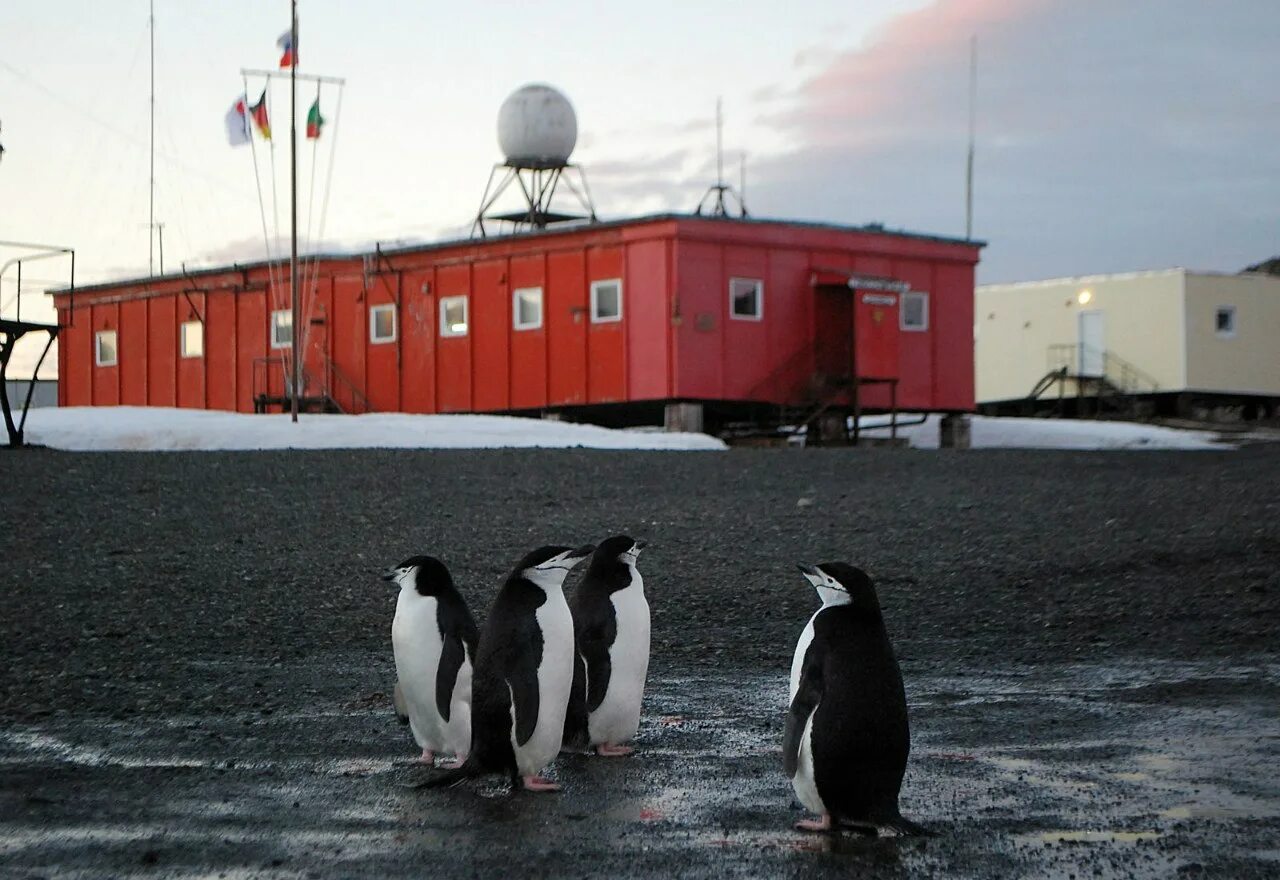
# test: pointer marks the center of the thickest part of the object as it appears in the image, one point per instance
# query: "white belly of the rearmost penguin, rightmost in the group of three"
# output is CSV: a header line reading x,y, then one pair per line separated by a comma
x,y
618,718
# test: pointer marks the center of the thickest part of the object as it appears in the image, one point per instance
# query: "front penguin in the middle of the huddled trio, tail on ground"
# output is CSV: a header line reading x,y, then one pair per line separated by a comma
x,y
524,673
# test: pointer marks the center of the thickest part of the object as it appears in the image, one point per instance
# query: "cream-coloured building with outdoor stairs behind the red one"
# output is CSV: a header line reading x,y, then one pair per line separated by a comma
x,y
1173,333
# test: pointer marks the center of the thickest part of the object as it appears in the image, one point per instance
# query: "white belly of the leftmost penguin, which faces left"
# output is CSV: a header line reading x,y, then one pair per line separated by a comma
x,y
417,645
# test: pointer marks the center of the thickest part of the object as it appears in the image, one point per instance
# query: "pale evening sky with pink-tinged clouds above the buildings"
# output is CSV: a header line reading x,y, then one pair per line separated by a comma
x,y
1112,135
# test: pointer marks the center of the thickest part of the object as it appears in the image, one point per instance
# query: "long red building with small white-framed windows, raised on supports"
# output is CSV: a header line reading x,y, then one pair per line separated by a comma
x,y
610,323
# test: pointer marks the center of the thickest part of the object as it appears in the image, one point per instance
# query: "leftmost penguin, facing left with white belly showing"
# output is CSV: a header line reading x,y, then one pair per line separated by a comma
x,y
435,643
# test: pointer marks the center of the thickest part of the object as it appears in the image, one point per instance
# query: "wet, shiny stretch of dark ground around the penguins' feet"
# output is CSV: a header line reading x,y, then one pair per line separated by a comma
x,y
1141,769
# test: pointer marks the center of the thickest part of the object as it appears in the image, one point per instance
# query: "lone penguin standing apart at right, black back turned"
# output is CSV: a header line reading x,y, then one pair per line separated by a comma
x,y
847,735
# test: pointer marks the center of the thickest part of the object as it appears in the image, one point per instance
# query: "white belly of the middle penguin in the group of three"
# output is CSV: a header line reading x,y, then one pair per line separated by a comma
x,y
555,679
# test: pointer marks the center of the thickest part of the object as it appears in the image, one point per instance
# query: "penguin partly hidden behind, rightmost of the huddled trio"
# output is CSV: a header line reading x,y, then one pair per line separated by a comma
x,y
611,627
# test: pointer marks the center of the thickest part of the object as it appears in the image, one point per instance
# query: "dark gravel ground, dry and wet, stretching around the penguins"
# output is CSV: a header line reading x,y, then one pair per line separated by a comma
x,y
198,657
